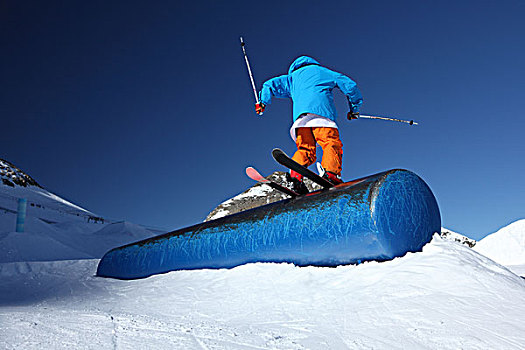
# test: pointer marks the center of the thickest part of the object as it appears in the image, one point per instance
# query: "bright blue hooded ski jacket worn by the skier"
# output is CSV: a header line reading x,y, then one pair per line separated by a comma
x,y
310,86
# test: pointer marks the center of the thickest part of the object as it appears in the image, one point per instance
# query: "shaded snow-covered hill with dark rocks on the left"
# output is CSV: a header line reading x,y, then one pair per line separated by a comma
x,y
55,229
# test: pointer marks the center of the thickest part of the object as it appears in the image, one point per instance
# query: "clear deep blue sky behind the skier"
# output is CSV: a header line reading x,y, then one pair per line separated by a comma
x,y
142,110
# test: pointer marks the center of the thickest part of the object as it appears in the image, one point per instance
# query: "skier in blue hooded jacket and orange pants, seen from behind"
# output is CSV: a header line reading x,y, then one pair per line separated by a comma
x,y
310,86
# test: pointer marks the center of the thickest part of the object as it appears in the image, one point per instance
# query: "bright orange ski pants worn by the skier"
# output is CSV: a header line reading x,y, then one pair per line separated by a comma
x,y
328,139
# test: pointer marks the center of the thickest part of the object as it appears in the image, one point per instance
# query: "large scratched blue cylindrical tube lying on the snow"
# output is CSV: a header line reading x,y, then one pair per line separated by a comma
x,y
380,217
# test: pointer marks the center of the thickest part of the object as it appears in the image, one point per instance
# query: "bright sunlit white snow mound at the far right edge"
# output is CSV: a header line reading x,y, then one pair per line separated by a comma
x,y
506,246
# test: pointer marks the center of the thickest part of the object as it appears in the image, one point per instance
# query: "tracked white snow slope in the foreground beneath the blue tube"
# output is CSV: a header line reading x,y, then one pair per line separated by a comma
x,y
446,297
